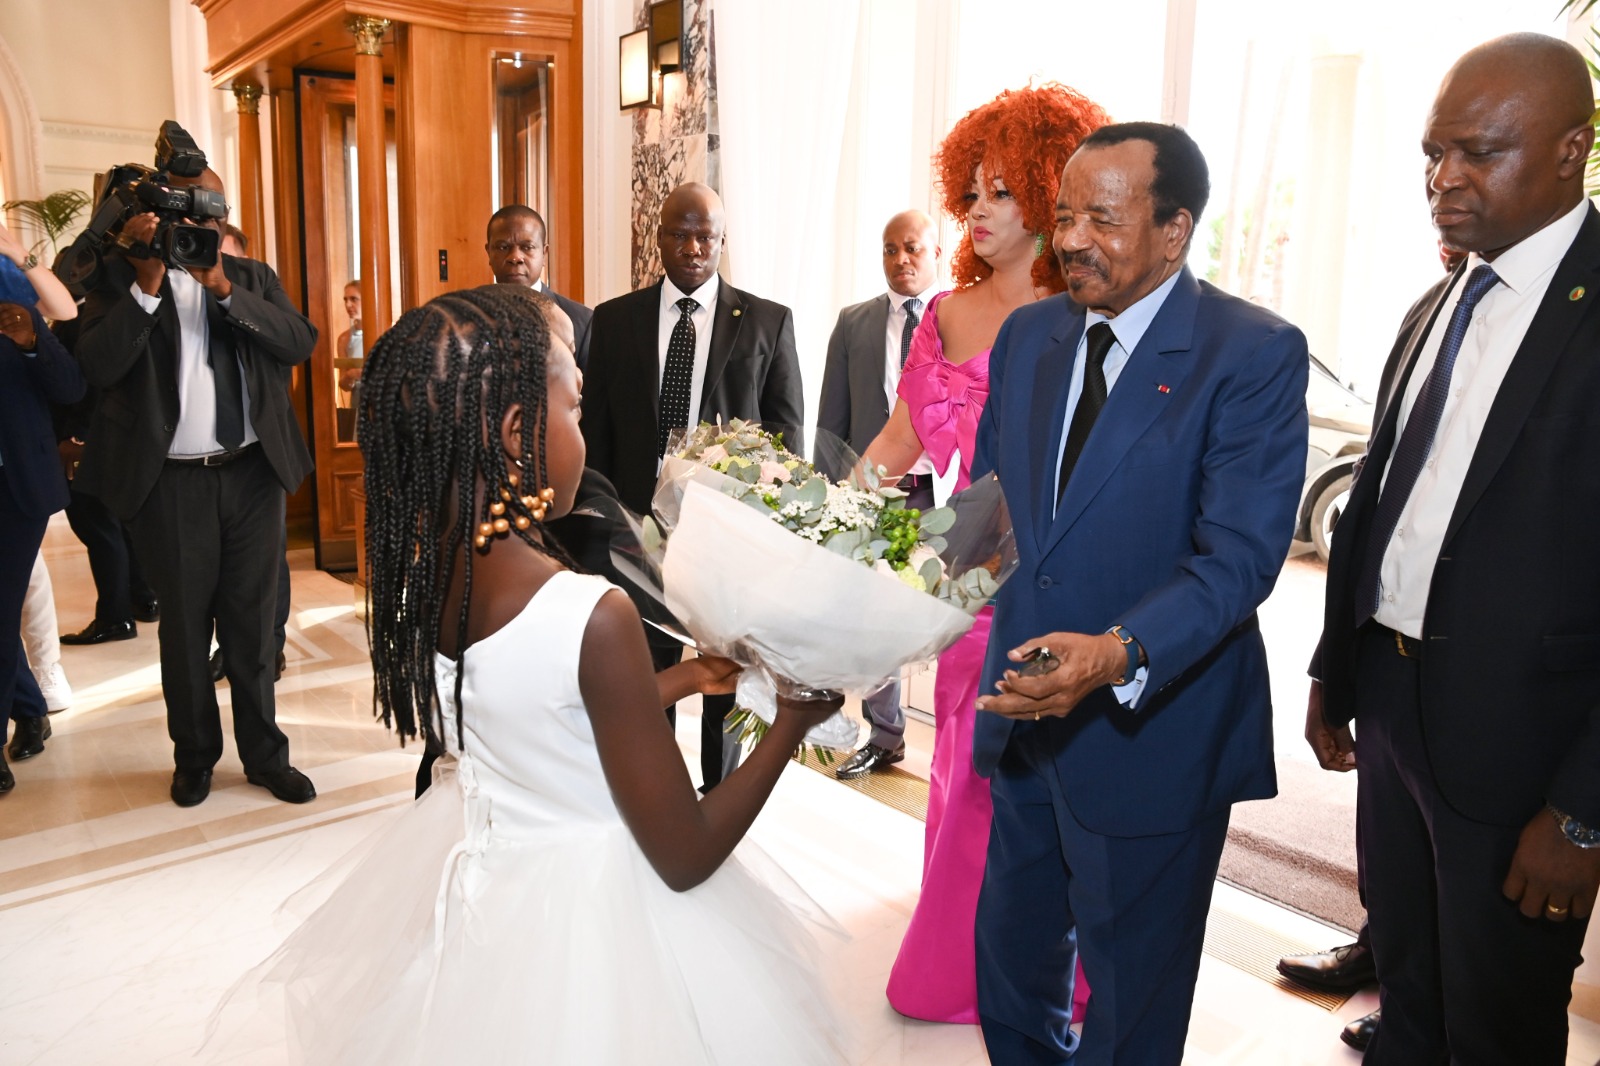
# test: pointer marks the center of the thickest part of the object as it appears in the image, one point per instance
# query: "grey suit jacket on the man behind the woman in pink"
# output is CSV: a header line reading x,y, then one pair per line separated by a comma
x,y
854,406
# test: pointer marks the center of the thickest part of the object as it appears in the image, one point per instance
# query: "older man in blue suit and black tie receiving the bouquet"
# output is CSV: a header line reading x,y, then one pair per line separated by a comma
x,y
1151,439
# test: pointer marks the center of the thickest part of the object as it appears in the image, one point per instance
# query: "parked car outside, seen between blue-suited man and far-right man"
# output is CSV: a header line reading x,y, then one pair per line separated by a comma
x,y
1340,425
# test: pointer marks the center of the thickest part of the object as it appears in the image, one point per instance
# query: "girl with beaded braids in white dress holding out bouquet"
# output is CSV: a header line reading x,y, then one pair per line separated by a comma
x,y
561,894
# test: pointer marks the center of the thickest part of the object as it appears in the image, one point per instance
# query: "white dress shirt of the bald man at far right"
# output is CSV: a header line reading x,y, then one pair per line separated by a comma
x,y
1494,337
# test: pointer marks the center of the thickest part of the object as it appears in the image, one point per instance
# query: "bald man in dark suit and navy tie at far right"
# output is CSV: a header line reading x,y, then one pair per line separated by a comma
x,y
1463,614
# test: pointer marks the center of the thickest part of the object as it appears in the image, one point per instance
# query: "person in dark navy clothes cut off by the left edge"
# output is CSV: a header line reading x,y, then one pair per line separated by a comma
x,y
36,372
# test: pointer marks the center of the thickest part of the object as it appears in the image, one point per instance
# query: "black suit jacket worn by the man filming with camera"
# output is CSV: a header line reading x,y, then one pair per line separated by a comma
x,y
132,358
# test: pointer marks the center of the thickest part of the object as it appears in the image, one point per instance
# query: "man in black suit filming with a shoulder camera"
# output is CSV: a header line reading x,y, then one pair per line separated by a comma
x,y
194,446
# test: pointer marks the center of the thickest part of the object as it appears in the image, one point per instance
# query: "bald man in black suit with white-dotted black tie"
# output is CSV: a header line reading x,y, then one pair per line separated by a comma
x,y
687,350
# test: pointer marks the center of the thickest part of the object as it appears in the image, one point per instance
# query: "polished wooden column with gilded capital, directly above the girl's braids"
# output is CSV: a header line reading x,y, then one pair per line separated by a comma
x,y
372,162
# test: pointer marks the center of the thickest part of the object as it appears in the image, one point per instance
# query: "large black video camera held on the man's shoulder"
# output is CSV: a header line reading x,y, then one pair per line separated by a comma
x,y
134,190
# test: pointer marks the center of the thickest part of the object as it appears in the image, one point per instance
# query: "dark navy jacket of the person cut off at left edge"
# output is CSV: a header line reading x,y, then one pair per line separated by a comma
x,y
30,385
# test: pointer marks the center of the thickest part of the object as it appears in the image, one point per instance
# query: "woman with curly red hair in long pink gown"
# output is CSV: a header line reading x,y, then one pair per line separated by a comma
x,y
999,170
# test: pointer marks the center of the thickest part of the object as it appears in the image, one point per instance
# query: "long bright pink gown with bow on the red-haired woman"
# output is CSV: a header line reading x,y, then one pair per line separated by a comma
x,y
935,976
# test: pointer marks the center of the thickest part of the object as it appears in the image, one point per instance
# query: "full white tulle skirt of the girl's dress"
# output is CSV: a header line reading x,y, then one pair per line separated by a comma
x,y
441,945
